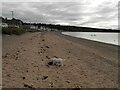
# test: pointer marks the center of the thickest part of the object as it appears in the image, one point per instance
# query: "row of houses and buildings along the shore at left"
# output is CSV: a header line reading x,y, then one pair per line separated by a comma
x,y
16,23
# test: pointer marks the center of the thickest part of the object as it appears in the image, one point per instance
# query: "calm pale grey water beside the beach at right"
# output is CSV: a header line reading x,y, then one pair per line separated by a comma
x,y
111,38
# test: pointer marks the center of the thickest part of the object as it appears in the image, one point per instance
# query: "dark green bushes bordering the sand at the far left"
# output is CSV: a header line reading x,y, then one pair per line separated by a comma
x,y
10,31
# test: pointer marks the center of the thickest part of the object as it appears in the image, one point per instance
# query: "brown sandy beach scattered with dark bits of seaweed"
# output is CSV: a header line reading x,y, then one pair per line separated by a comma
x,y
87,64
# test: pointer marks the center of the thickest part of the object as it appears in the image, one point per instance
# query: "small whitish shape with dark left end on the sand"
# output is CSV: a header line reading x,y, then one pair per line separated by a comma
x,y
56,61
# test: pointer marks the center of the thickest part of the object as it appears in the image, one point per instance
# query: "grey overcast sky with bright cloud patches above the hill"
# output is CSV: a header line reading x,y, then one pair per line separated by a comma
x,y
90,13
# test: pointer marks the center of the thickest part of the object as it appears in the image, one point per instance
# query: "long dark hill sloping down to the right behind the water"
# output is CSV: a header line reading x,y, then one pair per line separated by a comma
x,y
73,28
